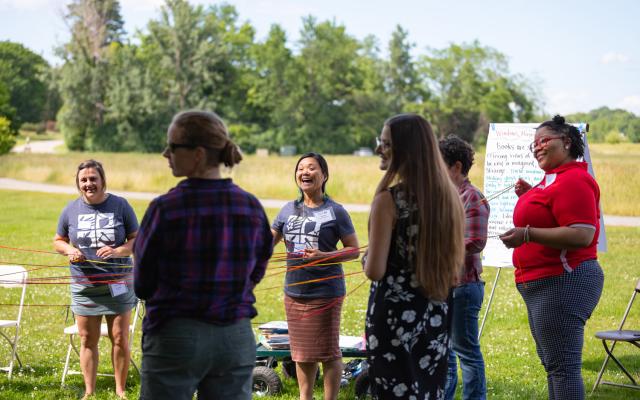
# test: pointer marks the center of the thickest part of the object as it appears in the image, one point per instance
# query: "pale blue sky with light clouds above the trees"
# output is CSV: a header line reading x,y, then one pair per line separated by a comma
x,y
582,54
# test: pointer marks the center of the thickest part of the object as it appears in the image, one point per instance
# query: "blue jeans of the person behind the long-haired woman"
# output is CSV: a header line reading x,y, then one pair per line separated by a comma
x,y
466,304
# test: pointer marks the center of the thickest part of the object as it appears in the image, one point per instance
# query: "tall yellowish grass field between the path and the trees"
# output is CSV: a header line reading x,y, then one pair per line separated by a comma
x,y
352,179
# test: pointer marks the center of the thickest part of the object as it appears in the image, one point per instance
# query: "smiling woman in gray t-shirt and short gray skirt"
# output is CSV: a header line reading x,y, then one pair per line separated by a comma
x,y
96,232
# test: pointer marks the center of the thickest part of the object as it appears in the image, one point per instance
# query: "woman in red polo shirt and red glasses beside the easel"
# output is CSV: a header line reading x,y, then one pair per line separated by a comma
x,y
555,254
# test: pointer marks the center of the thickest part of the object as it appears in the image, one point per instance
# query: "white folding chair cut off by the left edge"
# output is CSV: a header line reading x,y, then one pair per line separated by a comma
x,y
13,276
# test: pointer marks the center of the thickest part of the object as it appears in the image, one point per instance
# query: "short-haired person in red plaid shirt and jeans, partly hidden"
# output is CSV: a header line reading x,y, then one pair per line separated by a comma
x,y
469,293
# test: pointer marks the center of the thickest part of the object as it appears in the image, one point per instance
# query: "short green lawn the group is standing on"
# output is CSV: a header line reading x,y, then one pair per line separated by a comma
x,y
28,220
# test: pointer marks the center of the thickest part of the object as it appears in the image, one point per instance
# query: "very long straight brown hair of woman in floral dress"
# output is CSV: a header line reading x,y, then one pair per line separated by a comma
x,y
417,165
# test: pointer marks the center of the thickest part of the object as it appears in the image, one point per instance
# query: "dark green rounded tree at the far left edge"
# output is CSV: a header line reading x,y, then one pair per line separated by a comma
x,y
21,71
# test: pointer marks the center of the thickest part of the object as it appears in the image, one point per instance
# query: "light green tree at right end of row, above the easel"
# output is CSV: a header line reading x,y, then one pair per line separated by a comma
x,y
472,85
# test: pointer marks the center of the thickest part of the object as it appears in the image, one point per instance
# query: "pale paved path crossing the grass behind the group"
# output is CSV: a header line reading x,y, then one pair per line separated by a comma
x,y
14,184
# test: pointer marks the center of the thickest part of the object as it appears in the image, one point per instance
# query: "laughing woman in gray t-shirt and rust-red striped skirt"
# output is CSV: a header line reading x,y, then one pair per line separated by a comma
x,y
311,227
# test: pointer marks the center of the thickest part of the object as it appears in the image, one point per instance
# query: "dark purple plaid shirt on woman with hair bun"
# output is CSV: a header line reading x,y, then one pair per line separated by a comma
x,y
200,250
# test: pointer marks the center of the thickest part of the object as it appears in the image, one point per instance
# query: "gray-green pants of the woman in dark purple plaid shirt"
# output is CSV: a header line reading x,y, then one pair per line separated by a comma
x,y
186,355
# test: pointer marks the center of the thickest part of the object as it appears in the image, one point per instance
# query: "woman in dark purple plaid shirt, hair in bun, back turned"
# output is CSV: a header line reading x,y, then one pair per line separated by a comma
x,y
202,248
